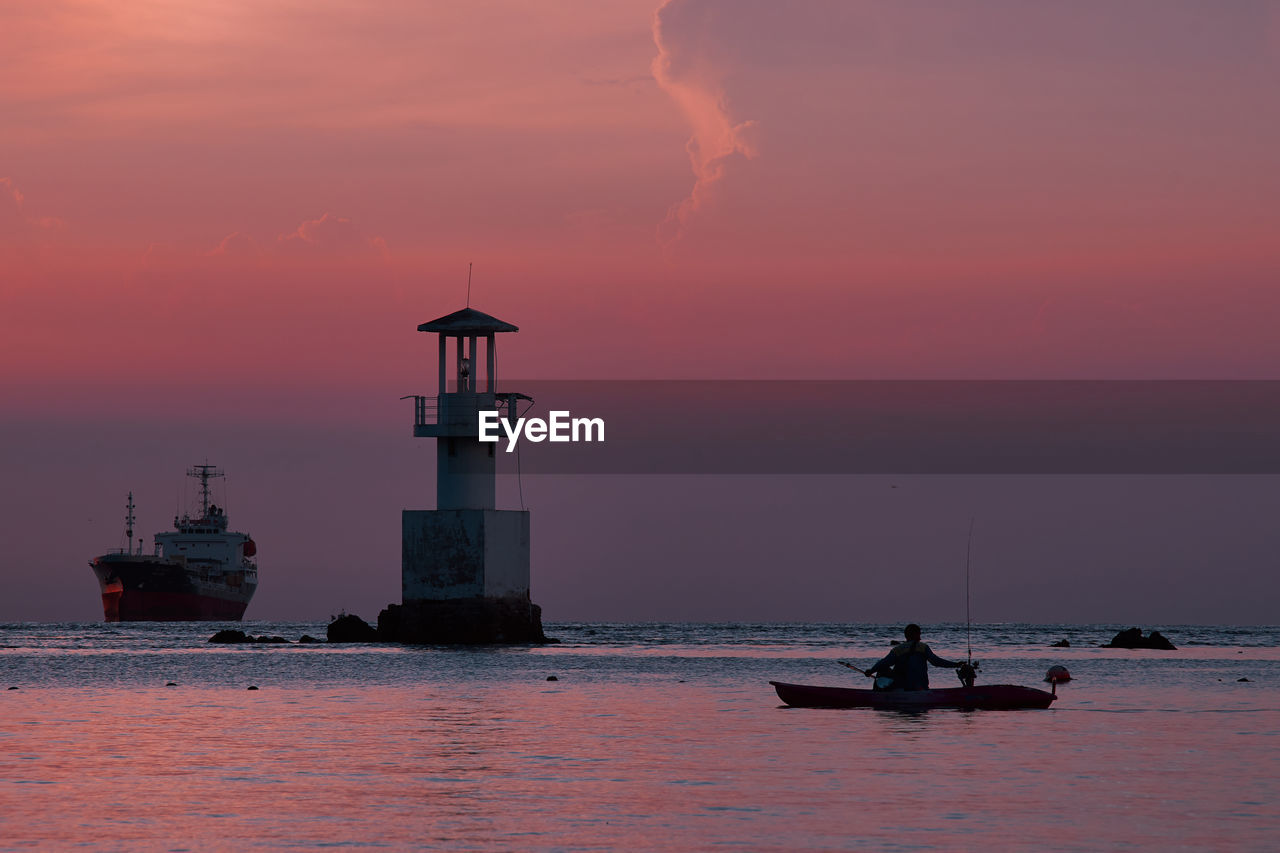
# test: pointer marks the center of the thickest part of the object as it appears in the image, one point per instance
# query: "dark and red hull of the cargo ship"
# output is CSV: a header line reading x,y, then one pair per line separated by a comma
x,y
143,590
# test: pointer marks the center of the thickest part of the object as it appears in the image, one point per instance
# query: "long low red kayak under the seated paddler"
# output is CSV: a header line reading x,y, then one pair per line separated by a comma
x,y
986,697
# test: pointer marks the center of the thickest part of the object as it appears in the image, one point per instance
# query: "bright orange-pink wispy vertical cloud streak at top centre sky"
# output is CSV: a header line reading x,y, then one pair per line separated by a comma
x,y
697,89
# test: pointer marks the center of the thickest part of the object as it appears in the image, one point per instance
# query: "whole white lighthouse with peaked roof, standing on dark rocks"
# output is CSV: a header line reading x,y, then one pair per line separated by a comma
x,y
465,564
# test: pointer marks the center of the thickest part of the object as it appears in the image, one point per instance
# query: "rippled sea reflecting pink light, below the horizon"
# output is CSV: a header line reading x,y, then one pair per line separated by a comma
x,y
629,737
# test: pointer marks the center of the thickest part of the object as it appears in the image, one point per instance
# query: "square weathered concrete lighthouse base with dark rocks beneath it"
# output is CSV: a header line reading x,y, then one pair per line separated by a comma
x,y
464,580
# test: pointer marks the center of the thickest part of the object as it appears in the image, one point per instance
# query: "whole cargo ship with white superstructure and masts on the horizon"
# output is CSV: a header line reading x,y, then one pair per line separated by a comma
x,y
198,572
